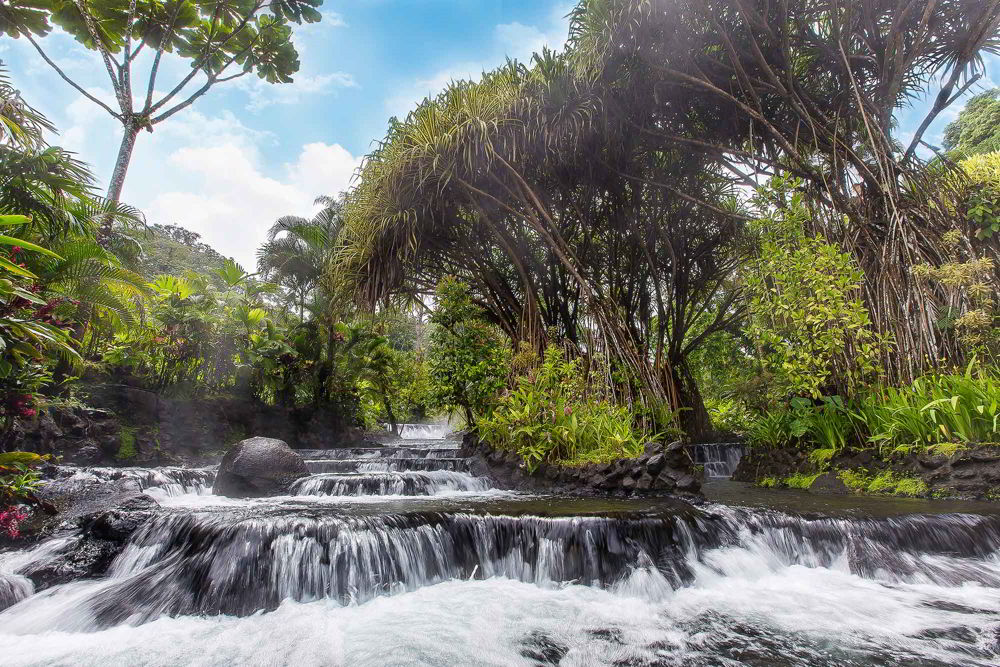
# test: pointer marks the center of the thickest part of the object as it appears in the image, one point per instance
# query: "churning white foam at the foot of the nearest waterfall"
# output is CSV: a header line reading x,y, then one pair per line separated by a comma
x,y
805,615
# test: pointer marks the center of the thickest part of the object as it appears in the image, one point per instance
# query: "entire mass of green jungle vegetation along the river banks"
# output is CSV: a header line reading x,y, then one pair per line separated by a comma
x,y
702,216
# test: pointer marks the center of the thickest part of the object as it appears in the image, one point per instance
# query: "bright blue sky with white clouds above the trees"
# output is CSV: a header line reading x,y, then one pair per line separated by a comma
x,y
249,152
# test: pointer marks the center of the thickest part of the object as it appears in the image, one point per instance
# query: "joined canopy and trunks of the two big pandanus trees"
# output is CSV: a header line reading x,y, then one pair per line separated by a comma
x,y
592,193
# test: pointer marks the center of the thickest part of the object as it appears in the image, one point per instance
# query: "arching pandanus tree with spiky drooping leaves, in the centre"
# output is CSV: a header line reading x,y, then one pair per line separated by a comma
x,y
559,217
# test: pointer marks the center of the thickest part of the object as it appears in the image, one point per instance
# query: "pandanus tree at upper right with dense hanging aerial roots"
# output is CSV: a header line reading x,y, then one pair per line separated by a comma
x,y
811,88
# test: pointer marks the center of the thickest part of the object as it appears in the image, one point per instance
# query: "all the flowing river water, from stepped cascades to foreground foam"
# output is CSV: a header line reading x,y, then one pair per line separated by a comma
x,y
397,556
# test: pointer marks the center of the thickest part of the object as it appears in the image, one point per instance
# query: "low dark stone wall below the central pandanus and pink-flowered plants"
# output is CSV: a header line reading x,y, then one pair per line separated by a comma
x,y
660,470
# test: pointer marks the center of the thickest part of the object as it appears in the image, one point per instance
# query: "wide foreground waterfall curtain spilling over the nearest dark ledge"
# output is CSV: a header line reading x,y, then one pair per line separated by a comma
x,y
221,563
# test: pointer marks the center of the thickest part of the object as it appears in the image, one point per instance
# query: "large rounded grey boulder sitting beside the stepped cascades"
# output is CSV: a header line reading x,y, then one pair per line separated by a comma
x,y
258,467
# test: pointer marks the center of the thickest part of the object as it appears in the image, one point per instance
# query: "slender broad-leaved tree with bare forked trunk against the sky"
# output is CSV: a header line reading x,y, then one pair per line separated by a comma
x,y
223,39
